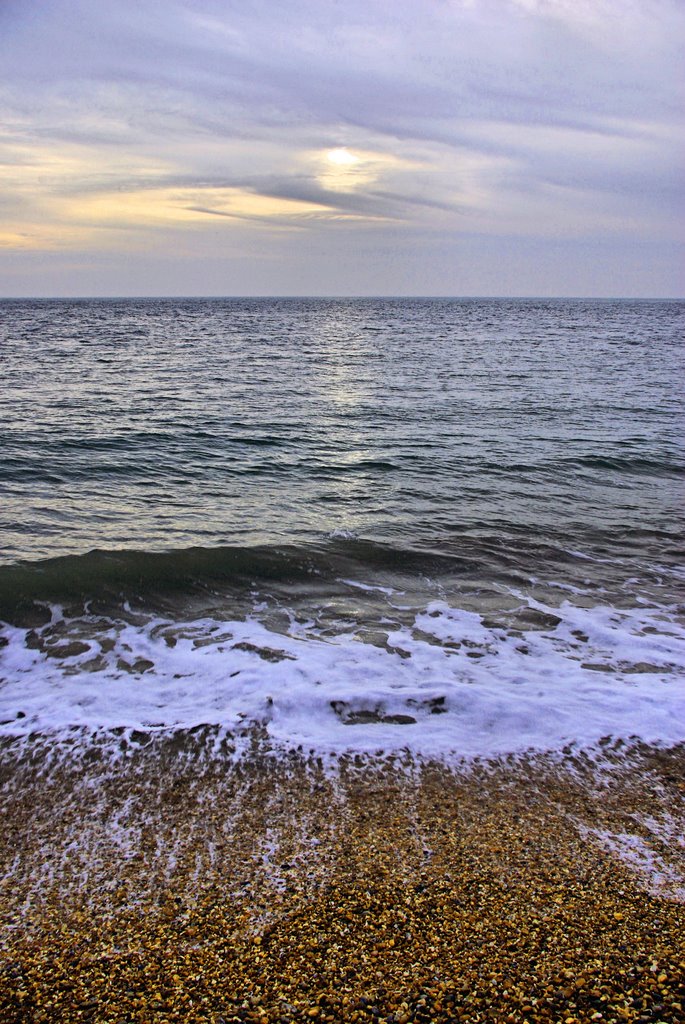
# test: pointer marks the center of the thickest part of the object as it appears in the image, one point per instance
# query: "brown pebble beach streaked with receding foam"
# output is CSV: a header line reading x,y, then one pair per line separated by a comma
x,y
176,884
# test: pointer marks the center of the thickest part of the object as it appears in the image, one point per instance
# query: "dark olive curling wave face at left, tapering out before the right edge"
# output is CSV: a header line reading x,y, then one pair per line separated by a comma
x,y
230,571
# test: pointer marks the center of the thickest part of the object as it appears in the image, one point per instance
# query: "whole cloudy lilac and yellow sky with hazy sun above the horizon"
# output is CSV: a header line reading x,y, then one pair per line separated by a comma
x,y
342,148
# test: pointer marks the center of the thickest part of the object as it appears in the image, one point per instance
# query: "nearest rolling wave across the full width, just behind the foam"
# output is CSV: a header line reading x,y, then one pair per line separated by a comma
x,y
476,562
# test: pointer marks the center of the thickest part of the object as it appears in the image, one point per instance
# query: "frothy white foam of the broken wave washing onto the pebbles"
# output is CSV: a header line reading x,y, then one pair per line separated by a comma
x,y
474,690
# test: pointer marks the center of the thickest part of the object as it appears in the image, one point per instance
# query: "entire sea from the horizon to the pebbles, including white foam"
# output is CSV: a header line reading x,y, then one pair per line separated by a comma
x,y
447,527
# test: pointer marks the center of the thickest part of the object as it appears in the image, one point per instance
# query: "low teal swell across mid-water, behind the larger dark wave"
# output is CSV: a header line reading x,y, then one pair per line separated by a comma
x,y
184,460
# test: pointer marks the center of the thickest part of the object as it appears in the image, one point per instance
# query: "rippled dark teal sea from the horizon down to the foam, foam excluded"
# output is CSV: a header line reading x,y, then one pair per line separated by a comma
x,y
478,438
